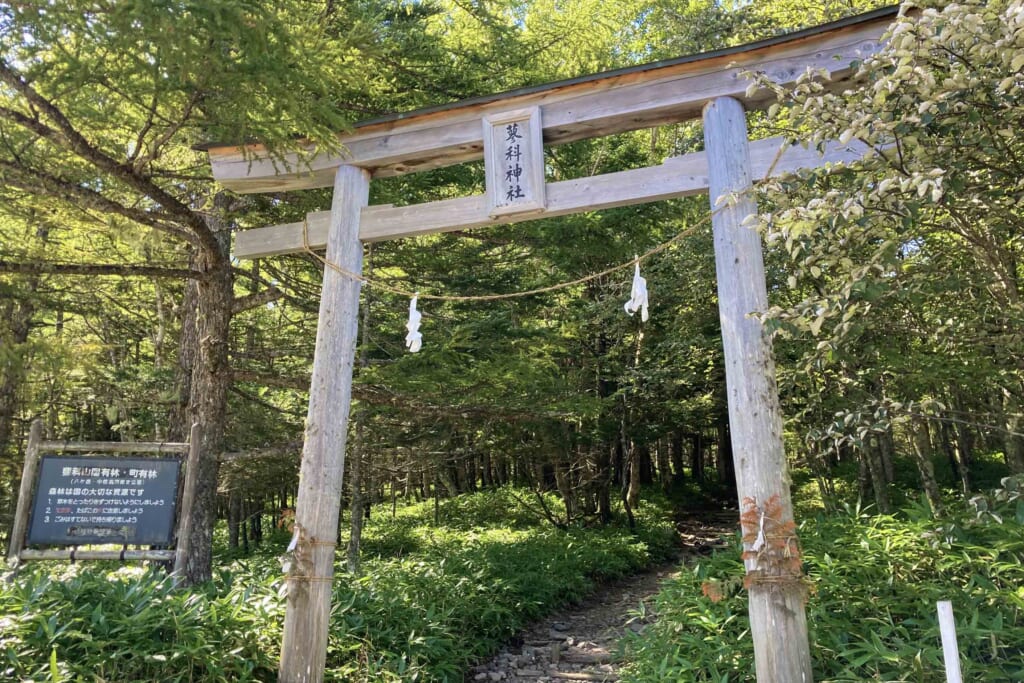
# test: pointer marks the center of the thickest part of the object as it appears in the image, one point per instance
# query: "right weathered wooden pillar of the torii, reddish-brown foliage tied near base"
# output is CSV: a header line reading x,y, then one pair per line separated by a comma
x,y
775,576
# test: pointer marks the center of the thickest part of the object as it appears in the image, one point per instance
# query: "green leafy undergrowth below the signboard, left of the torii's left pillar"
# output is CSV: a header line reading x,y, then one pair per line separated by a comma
x,y
92,625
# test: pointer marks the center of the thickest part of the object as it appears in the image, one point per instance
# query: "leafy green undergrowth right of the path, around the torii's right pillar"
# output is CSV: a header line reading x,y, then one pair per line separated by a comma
x,y
872,610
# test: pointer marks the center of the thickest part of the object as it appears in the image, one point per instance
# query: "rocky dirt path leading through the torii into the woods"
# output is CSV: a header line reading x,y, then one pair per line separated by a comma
x,y
579,644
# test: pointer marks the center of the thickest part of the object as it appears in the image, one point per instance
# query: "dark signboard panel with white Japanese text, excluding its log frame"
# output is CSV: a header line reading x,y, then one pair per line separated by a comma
x,y
91,500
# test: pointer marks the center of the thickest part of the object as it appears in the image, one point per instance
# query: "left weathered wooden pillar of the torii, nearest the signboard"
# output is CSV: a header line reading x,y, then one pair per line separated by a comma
x,y
304,651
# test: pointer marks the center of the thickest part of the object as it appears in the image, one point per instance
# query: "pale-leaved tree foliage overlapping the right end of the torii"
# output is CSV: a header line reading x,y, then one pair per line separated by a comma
x,y
900,277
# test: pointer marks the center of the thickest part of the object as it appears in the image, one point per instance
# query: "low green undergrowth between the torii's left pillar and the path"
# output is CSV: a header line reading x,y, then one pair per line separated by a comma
x,y
471,586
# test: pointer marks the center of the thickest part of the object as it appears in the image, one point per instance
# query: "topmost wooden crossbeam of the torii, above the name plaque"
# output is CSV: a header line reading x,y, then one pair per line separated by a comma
x,y
595,108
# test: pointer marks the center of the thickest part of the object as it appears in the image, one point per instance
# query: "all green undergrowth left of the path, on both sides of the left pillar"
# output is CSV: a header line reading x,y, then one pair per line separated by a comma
x,y
431,601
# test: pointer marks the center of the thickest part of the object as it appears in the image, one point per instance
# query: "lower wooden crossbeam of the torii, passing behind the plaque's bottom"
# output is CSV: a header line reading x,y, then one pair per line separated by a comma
x,y
678,177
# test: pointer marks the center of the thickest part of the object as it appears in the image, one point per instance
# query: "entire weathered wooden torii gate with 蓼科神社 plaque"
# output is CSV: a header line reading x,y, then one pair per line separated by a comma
x,y
509,132
